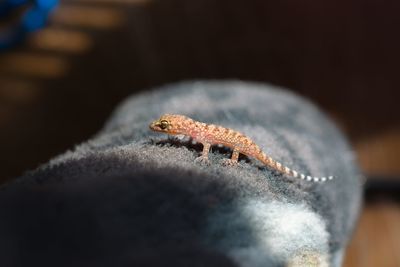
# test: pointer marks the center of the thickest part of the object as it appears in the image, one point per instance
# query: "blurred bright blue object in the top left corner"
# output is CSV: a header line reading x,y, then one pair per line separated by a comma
x,y
34,18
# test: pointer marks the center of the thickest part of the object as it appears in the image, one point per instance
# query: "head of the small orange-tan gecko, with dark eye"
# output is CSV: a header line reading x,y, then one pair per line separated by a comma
x,y
168,123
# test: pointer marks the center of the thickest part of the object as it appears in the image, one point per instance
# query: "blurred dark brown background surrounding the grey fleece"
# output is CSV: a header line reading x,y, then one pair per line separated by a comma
x,y
58,87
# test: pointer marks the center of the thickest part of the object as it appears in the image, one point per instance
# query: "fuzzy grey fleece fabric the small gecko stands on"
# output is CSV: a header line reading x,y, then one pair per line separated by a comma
x,y
132,197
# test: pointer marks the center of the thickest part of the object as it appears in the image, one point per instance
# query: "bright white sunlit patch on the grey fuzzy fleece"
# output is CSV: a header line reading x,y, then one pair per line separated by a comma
x,y
282,230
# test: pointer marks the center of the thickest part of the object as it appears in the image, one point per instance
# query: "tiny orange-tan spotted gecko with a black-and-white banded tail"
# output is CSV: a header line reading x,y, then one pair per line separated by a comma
x,y
210,134
